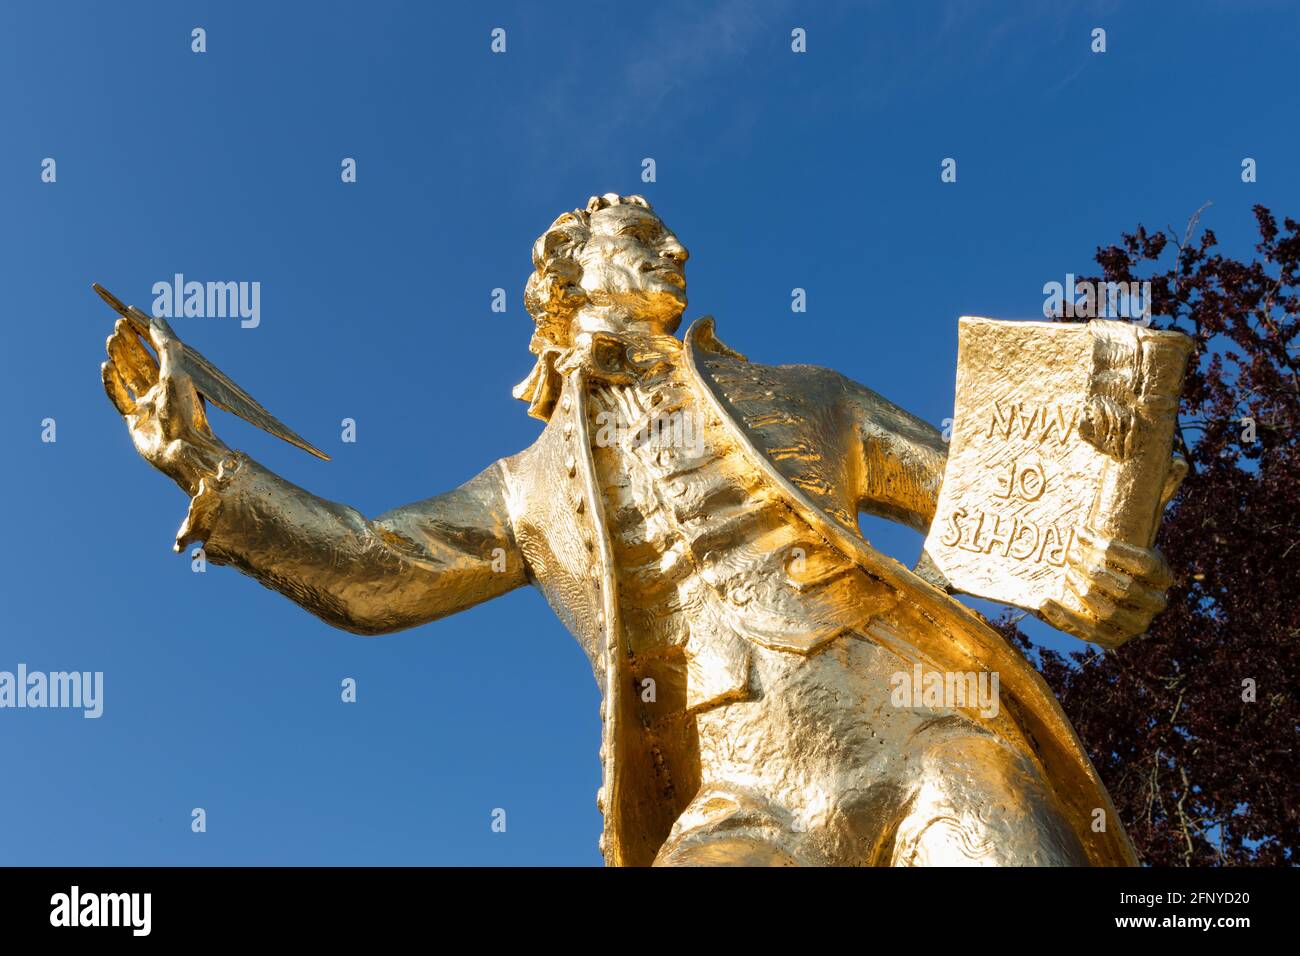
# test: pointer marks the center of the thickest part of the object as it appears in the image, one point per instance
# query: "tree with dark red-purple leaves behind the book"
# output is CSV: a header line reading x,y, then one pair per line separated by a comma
x,y
1193,726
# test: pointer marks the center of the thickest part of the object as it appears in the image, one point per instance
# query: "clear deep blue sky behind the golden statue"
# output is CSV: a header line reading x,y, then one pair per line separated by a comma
x,y
820,171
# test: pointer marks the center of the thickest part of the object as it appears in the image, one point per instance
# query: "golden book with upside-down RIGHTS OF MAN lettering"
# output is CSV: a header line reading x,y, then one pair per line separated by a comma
x,y
1058,426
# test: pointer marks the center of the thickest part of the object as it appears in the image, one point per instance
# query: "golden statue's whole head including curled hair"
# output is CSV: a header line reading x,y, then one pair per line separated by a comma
x,y
614,263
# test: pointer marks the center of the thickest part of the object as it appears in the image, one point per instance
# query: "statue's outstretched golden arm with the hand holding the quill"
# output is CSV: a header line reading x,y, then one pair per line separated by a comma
x,y
404,569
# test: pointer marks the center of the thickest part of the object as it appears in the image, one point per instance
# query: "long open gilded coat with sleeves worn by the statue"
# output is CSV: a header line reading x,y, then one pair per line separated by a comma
x,y
539,518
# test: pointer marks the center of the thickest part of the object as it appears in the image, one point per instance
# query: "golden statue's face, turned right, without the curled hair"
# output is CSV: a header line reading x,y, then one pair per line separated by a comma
x,y
635,263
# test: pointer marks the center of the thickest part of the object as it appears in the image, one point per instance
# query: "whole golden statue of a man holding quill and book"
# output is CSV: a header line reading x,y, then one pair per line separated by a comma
x,y
775,691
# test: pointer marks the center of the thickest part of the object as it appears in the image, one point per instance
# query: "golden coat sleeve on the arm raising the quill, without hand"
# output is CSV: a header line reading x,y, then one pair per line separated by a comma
x,y
404,569
